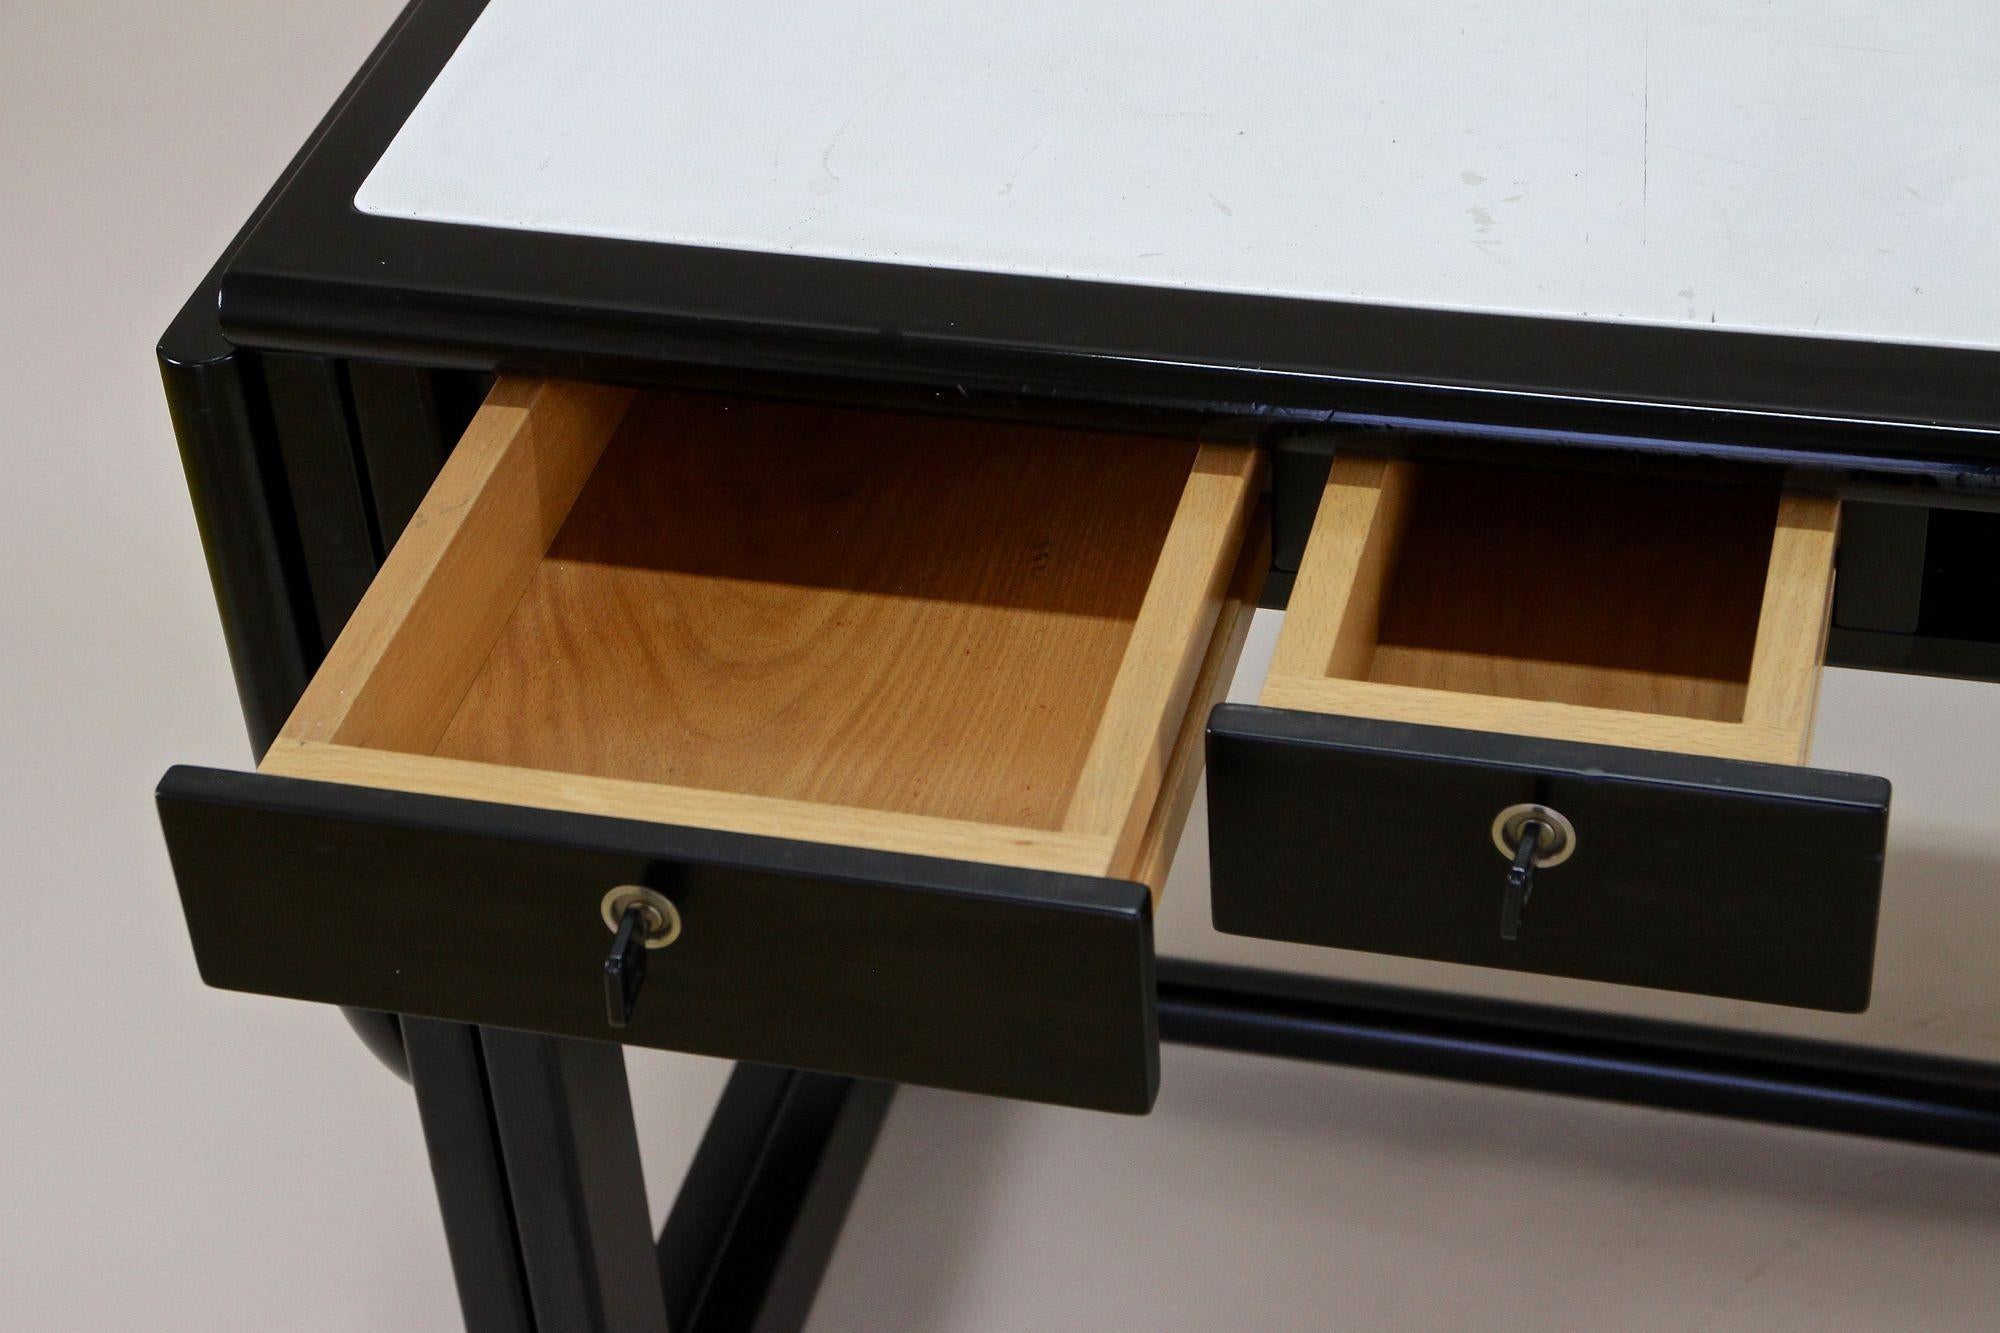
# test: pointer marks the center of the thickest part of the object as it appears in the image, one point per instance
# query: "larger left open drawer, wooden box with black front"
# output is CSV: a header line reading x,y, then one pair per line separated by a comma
x,y
901,716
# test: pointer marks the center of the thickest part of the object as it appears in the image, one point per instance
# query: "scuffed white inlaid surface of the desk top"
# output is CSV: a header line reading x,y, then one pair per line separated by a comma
x,y
1809,167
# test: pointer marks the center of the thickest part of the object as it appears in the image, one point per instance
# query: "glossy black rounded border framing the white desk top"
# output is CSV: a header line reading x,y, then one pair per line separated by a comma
x,y
319,275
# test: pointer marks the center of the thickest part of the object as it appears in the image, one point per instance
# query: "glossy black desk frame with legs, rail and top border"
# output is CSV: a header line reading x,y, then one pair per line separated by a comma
x,y
313,409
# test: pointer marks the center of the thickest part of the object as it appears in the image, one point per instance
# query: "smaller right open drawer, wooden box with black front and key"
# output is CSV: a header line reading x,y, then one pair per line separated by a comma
x,y
1555,722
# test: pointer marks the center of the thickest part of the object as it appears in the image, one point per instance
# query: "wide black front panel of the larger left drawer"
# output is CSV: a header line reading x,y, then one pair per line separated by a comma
x,y
913,970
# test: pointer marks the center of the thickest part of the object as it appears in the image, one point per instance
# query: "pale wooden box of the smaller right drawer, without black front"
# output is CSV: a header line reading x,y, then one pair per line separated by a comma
x,y
1633,611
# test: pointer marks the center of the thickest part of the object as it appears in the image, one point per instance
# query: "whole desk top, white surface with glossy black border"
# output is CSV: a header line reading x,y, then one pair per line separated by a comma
x,y
1747,229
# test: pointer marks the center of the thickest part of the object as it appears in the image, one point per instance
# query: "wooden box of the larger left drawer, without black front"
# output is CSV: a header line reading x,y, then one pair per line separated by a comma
x,y
981,641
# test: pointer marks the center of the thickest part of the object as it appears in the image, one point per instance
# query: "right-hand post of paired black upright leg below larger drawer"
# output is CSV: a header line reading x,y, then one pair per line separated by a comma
x,y
565,1124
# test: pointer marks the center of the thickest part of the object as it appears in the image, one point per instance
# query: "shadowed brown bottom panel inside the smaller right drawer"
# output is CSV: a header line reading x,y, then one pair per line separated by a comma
x,y
1573,587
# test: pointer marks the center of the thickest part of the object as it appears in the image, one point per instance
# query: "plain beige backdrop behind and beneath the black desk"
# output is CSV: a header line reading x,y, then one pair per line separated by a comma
x,y
185,1160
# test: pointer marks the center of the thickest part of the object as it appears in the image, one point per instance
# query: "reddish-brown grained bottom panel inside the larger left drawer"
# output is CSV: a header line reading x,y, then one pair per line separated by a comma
x,y
835,607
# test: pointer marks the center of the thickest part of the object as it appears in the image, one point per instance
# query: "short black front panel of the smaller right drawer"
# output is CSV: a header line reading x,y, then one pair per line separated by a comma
x,y
1705,876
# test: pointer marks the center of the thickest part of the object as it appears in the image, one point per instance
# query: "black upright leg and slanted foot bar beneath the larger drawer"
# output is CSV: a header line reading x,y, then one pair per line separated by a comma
x,y
545,1204
